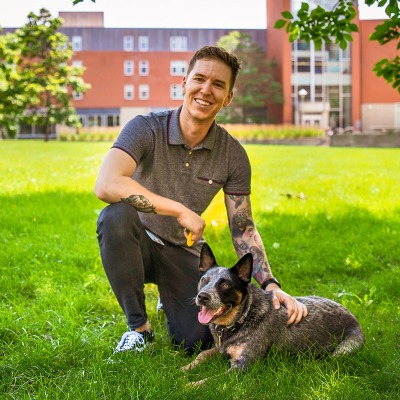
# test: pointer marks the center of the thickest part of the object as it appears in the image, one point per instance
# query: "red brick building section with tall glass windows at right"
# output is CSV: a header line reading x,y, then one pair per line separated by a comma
x,y
332,87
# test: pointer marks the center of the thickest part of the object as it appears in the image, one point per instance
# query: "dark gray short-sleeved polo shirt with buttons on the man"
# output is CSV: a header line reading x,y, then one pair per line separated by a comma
x,y
168,167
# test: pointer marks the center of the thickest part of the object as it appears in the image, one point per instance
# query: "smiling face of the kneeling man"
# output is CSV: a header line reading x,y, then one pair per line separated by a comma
x,y
206,89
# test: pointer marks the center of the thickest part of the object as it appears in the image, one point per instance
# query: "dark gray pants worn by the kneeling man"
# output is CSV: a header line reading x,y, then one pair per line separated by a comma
x,y
131,259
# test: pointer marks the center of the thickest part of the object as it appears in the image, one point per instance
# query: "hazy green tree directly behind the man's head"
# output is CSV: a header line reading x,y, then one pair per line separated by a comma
x,y
255,86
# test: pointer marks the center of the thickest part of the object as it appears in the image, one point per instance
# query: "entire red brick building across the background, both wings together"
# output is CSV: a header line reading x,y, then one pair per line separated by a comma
x,y
134,71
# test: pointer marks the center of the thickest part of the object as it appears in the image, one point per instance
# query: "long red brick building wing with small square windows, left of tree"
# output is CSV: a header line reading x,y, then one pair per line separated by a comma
x,y
133,70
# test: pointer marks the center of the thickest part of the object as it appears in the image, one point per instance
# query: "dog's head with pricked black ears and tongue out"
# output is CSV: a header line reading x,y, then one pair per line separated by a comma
x,y
221,290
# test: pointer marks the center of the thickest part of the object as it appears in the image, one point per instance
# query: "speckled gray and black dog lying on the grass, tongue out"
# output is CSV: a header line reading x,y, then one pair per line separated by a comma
x,y
245,325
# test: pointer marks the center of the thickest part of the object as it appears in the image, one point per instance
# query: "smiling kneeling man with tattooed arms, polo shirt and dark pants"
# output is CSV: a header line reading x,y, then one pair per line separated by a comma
x,y
158,178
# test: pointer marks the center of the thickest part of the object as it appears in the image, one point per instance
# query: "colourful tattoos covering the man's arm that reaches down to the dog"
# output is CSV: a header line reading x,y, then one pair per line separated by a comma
x,y
247,240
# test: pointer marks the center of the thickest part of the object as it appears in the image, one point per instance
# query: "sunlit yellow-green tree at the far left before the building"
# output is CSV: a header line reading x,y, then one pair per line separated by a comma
x,y
38,83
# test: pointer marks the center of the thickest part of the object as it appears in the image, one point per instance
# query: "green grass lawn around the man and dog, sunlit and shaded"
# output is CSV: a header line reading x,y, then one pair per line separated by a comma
x,y
330,220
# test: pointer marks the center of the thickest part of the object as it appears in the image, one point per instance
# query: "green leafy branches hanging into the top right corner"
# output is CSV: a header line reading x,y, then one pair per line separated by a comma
x,y
337,25
